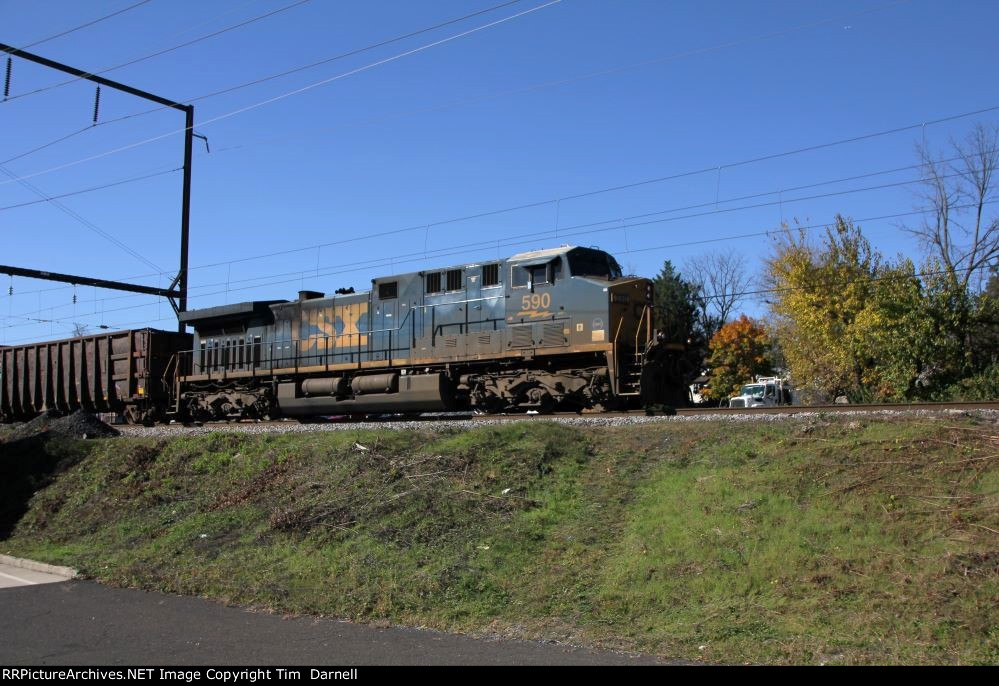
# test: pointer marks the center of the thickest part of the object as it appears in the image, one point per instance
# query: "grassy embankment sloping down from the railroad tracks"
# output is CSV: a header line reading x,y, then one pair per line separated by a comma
x,y
836,541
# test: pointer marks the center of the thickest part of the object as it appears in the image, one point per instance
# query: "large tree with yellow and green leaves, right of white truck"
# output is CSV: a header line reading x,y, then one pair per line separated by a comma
x,y
852,323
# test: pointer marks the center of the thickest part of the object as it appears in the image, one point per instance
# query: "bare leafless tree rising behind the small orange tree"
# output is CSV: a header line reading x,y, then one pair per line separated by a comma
x,y
721,281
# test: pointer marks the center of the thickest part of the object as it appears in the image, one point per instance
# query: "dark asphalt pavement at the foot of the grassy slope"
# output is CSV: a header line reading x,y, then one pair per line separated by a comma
x,y
84,623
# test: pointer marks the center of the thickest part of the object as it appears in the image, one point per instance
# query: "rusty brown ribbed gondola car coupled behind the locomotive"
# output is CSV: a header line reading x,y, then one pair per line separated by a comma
x,y
124,372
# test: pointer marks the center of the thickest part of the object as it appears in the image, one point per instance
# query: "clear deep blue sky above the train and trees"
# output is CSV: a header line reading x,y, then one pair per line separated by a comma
x,y
575,97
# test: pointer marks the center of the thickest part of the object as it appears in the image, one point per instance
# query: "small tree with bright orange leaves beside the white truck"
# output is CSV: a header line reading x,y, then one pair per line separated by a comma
x,y
739,352
